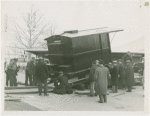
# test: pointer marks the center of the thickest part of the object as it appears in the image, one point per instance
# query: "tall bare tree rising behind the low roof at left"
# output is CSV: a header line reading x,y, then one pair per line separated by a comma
x,y
29,35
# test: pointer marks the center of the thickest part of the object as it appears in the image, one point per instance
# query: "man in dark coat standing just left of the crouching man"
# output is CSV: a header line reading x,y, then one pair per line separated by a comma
x,y
41,73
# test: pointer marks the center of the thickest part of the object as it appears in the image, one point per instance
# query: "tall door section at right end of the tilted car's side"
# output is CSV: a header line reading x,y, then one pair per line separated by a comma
x,y
105,46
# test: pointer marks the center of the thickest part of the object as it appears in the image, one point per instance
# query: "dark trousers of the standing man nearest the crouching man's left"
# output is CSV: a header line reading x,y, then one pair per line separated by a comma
x,y
40,86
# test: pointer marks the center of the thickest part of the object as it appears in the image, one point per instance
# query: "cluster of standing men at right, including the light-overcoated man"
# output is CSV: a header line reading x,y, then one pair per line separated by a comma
x,y
121,73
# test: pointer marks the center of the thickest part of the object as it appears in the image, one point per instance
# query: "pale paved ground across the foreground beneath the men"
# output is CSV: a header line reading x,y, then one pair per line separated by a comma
x,y
121,101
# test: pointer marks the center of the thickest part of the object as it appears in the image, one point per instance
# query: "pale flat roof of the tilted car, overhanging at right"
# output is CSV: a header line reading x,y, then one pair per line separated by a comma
x,y
76,33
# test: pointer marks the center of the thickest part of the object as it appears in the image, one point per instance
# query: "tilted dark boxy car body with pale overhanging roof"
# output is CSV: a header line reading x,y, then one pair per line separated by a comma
x,y
73,52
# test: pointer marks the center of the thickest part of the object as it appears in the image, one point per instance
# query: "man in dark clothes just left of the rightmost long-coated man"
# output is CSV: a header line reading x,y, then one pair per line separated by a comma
x,y
121,74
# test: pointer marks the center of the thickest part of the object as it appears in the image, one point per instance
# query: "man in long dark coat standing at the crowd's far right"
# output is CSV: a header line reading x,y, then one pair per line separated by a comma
x,y
129,75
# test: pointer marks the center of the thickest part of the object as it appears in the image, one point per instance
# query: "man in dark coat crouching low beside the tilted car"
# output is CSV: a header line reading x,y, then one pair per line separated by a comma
x,y
63,86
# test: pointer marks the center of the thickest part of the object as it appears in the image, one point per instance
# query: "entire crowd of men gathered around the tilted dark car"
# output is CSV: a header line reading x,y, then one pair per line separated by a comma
x,y
37,72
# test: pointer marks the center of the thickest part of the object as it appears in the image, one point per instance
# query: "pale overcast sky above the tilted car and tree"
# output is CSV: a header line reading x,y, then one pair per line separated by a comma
x,y
130,16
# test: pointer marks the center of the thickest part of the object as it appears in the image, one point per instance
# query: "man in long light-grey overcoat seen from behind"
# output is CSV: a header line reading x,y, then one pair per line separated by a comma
x,y
101,78
